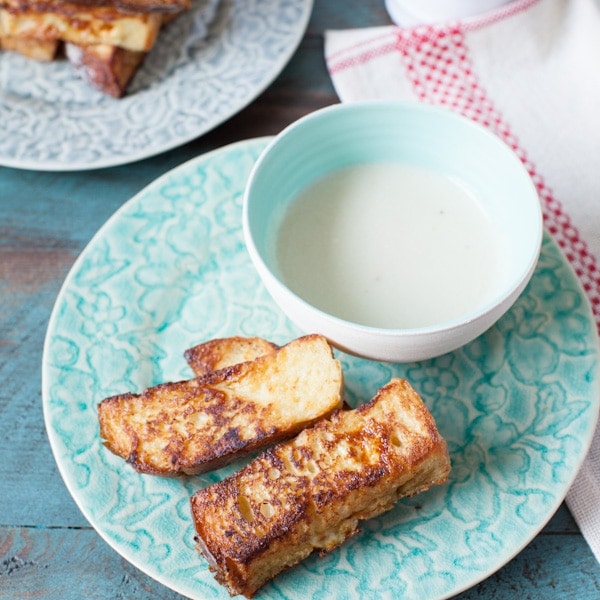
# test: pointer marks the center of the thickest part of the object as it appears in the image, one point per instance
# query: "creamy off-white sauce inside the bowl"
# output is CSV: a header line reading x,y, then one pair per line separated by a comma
x,y
389,245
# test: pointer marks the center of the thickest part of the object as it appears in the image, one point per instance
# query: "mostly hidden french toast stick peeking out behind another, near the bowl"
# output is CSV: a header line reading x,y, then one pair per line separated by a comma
x,y
219,353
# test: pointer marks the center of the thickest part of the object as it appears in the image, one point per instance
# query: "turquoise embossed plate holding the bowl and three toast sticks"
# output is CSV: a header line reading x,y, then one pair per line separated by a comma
x,y
517,406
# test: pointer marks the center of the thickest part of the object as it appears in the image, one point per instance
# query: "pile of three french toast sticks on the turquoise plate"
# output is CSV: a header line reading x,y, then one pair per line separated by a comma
x,y
319,467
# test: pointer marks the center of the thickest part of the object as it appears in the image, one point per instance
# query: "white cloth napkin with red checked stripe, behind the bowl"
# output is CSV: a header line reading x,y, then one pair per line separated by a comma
x,y
529,71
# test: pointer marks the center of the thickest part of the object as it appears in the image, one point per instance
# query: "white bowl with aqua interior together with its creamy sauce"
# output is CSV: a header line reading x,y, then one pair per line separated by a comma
x,y
400,231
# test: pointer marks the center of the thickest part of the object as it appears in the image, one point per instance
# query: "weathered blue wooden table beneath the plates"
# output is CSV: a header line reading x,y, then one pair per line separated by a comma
x,y
47,548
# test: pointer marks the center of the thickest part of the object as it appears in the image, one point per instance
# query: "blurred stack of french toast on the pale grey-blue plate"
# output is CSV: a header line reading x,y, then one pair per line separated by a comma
x,y
105,40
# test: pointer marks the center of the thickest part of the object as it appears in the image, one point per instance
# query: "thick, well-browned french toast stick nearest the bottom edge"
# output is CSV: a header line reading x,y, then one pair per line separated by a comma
x,y
309,494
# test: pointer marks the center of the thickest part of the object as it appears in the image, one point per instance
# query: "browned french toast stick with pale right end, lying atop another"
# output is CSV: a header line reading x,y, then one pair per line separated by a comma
x,y
203,423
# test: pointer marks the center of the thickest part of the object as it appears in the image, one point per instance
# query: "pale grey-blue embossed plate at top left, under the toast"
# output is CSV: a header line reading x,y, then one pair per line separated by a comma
x,y
205,67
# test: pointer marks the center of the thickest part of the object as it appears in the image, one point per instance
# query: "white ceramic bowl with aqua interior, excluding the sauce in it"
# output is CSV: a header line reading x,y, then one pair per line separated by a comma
x,y
430,139
